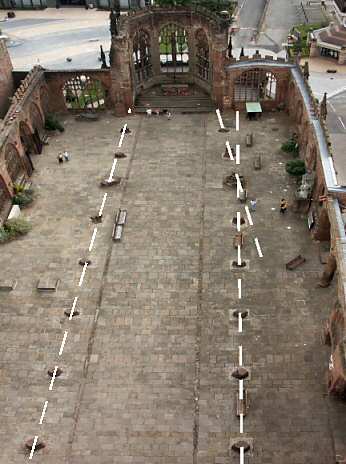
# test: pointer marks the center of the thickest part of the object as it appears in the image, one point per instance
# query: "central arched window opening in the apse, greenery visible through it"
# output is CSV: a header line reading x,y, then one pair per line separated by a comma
x,y
174,49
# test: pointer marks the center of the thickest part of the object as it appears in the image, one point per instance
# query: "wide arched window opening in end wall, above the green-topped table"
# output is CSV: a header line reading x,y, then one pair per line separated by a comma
x,y
255,85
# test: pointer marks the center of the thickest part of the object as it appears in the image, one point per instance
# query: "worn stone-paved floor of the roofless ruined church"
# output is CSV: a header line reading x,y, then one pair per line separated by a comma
x,y
147,364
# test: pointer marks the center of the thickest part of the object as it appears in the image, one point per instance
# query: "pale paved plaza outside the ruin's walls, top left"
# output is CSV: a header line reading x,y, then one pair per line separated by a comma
x,y
48,37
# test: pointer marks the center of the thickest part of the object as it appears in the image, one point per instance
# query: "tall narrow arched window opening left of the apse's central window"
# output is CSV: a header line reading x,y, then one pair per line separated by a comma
x,y
142,56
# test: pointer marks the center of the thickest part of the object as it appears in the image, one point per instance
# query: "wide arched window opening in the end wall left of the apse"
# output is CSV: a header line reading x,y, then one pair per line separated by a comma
x,y
83,92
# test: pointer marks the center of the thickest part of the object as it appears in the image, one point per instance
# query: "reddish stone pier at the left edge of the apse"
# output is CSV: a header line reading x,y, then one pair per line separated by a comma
x,y
122,90
